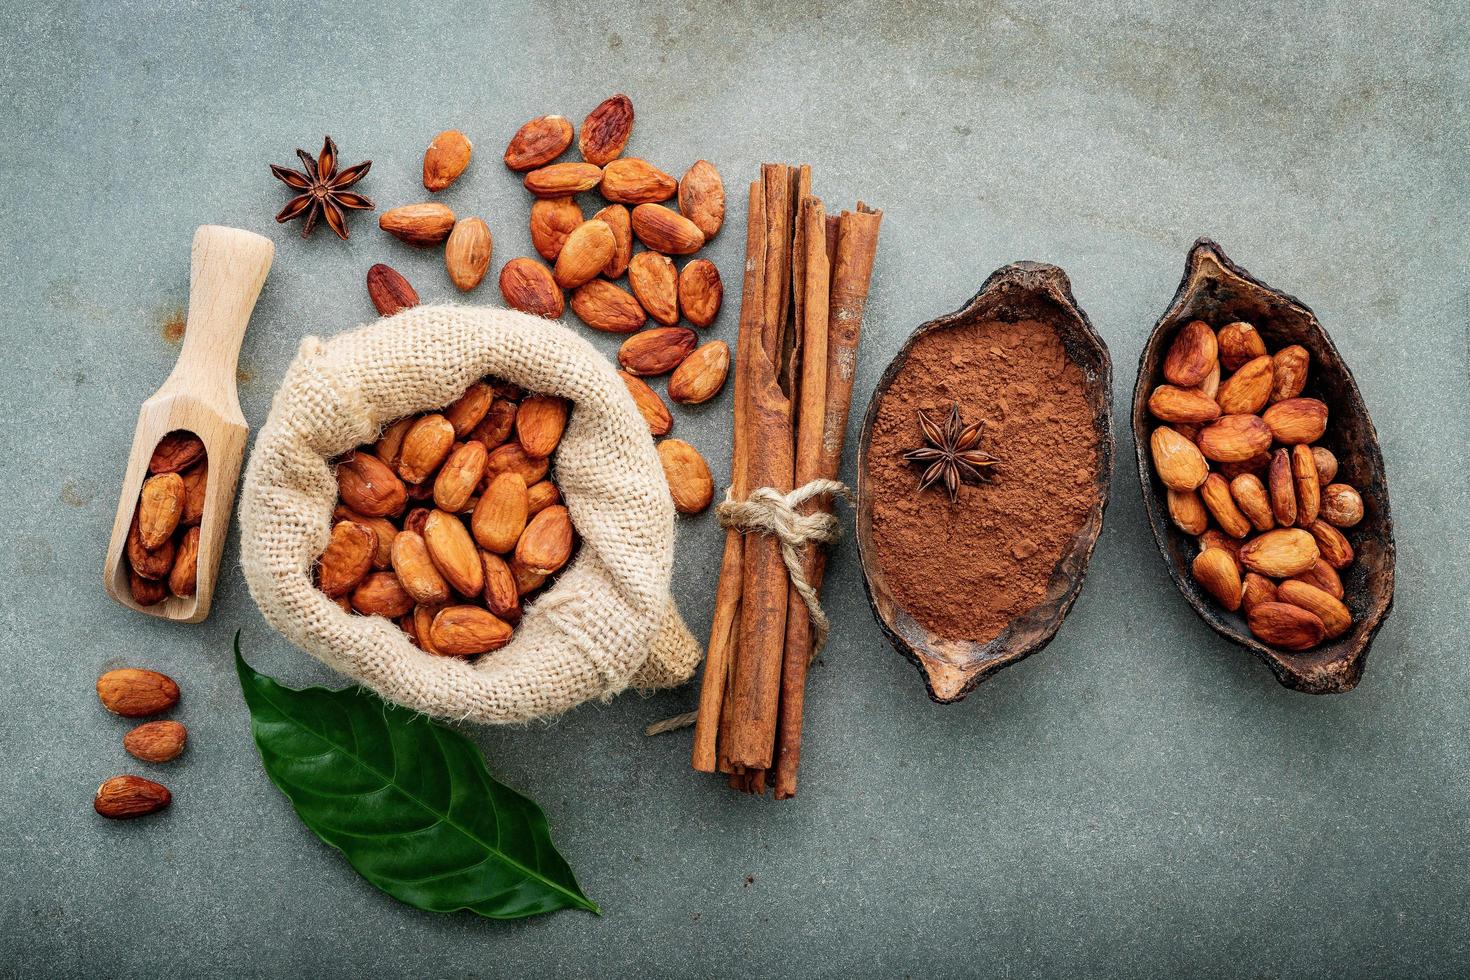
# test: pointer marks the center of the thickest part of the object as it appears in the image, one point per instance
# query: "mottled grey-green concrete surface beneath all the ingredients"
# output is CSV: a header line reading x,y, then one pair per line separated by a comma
x,y
1141,800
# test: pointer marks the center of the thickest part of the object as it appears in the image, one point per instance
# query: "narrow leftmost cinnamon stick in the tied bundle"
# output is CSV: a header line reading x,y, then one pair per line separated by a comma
x,y
714,703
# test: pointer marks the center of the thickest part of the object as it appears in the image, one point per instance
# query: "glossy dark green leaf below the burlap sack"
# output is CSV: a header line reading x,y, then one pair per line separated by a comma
x,y
408,801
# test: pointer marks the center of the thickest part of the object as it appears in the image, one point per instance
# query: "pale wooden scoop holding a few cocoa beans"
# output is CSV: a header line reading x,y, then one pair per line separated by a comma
x,y
227,270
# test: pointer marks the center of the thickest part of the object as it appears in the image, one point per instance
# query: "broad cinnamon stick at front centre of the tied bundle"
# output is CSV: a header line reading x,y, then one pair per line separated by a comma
x,y
764,593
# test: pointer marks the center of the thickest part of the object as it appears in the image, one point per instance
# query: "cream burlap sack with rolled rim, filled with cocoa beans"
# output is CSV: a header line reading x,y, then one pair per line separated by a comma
x,y
606,625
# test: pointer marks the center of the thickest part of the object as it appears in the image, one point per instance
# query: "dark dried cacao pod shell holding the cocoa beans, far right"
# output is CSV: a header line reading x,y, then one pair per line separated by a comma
x,y
1218,292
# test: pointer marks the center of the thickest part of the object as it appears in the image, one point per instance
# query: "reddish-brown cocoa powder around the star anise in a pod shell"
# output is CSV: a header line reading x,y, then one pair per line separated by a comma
x,y
964,571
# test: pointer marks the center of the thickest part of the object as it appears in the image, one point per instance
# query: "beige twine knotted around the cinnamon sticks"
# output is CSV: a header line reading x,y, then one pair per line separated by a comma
x,y
770,512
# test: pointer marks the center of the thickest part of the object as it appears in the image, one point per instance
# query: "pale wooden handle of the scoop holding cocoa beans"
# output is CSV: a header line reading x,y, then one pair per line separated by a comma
x,y
227,270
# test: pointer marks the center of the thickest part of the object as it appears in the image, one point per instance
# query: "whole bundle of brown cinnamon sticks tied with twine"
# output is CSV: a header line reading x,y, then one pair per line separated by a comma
x,y
802,314
